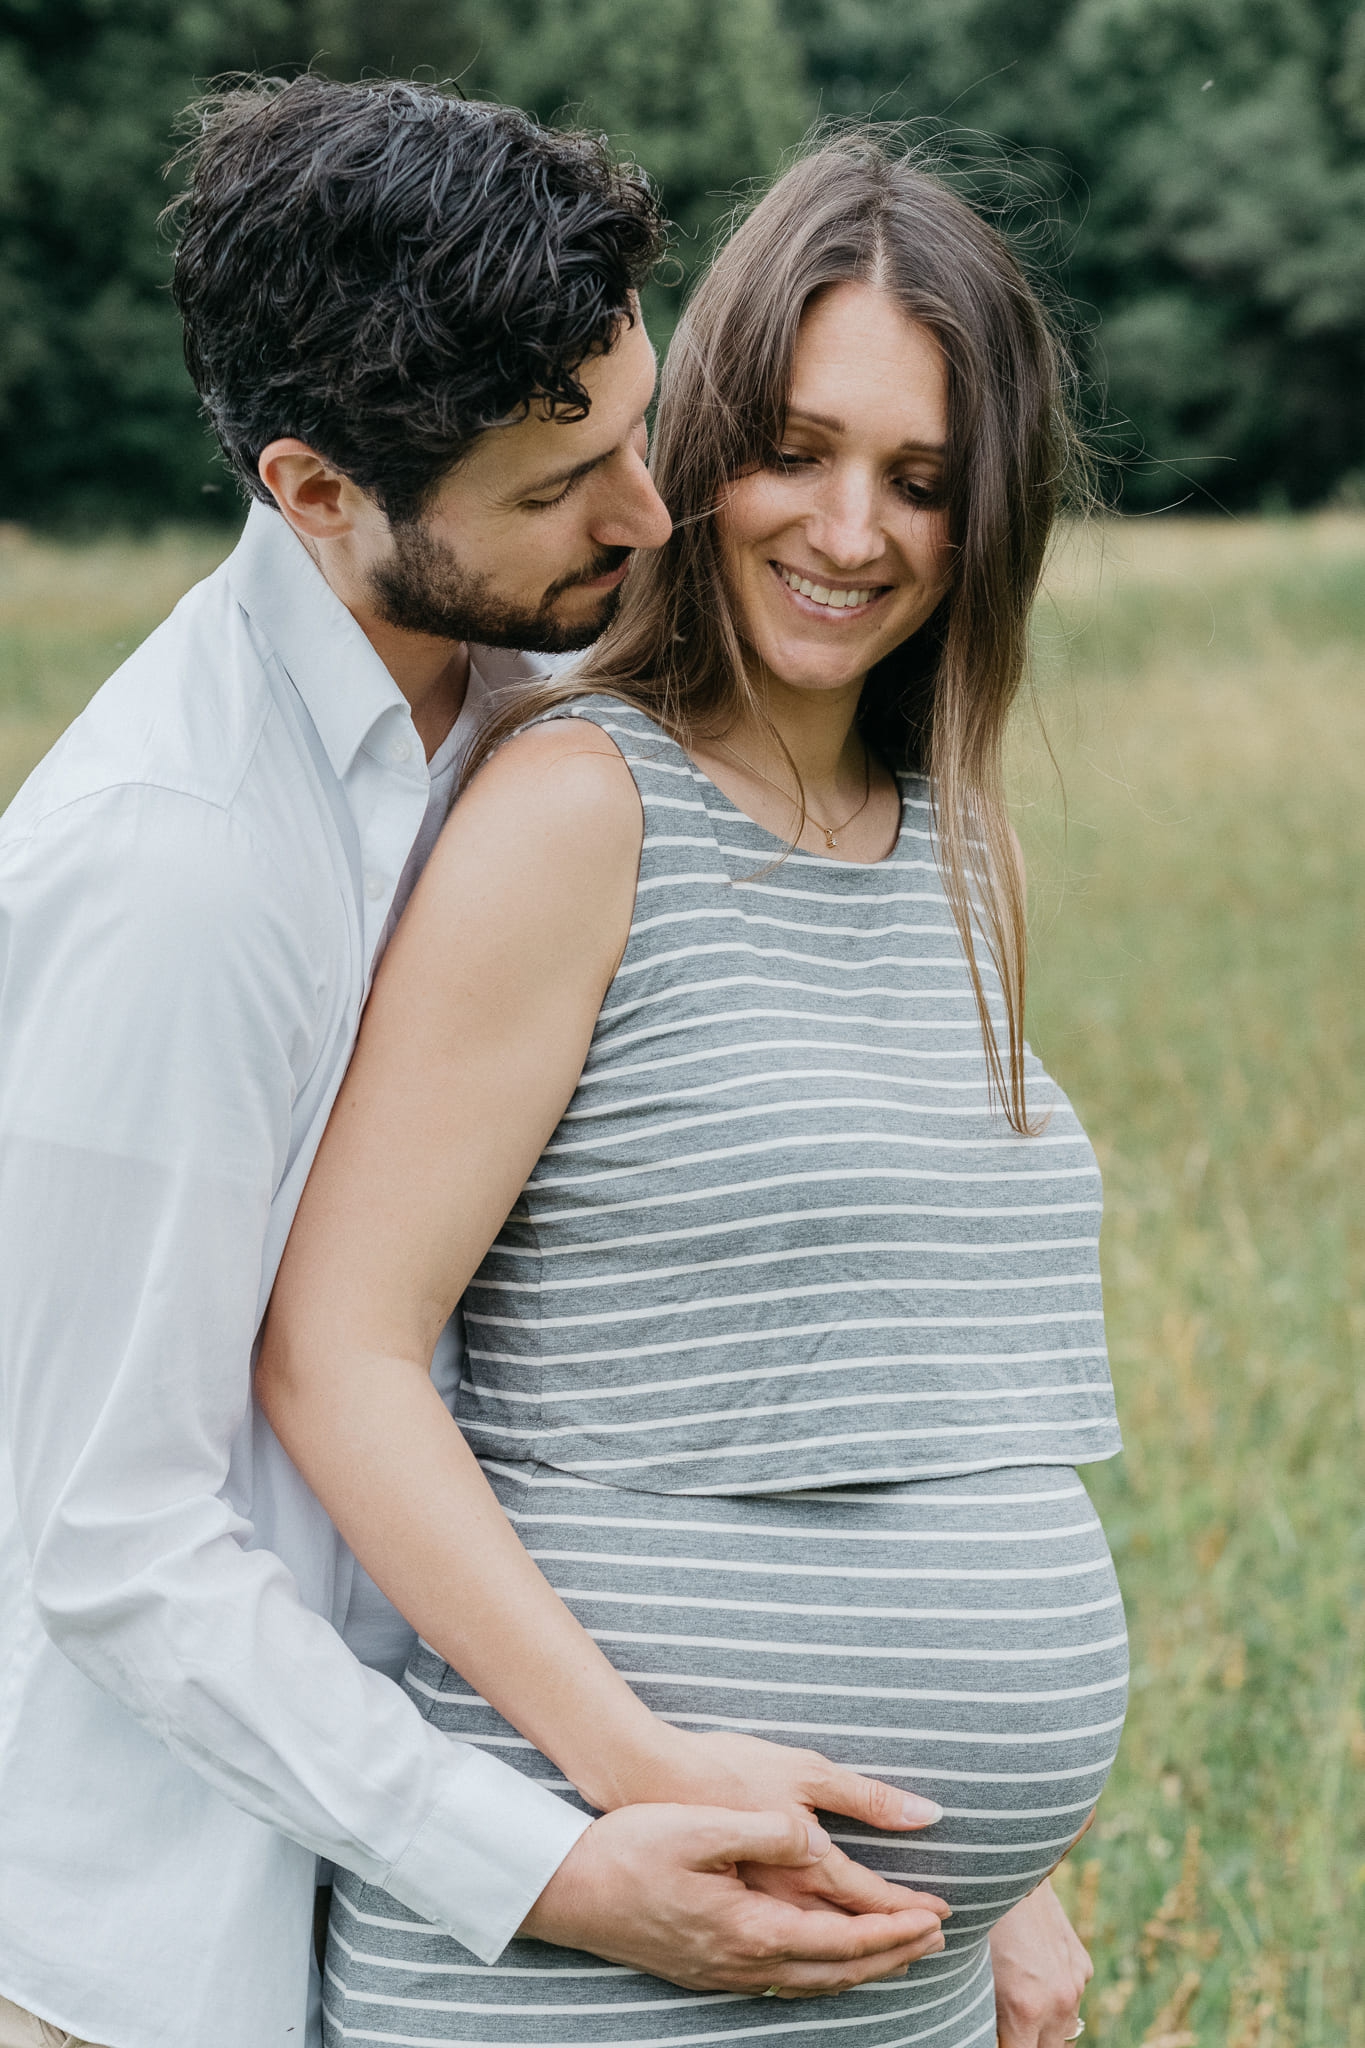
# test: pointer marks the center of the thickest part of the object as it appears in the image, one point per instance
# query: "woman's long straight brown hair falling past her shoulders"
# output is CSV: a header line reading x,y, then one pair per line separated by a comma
x,y
940,703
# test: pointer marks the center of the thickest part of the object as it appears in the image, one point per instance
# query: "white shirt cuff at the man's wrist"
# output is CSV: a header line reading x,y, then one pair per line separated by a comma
x,y
486,1852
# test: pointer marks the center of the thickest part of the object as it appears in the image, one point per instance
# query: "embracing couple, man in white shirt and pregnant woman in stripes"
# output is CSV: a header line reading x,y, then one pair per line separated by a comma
x,y
562,1527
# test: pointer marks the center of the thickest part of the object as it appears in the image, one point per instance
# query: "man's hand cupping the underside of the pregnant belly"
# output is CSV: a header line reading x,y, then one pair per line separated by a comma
x,y
660,1889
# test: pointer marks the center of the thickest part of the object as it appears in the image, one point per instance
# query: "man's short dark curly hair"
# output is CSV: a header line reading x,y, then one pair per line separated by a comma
x,y
388,271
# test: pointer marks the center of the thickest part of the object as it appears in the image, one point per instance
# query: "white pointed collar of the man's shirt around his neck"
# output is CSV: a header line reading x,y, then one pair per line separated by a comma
x,y
335,669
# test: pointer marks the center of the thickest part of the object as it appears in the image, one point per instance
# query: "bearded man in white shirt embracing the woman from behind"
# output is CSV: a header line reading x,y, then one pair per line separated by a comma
x,y
416,335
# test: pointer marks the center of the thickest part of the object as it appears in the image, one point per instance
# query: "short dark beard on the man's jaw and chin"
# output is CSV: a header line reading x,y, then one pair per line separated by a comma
x,y
423,589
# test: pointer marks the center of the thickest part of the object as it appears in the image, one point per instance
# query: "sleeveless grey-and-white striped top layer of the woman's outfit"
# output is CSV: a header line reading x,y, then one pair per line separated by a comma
x,y
781,1236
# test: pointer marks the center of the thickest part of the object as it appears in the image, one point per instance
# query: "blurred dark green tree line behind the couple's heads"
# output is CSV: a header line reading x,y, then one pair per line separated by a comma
x,y
1198,167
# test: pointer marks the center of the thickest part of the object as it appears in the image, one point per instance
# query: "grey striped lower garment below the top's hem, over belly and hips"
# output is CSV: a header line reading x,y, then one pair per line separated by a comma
x,y
961,1637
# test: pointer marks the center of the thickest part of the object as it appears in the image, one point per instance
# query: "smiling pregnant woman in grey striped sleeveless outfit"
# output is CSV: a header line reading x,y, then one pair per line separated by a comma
x,y
701,1064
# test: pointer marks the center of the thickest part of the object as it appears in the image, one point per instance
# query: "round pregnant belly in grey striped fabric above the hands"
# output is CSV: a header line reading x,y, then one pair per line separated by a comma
x,y
959,1637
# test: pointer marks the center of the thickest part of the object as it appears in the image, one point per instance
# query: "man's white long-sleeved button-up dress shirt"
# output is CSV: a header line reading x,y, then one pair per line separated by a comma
x,y
193,894
